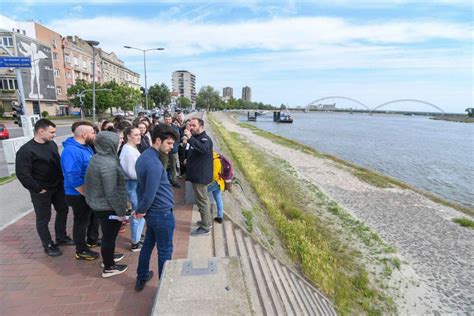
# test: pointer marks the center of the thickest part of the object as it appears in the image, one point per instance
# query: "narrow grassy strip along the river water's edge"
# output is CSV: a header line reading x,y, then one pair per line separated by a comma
x,y
363,174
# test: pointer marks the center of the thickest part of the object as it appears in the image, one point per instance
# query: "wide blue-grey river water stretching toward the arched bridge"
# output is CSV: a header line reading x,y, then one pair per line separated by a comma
x,y
436,156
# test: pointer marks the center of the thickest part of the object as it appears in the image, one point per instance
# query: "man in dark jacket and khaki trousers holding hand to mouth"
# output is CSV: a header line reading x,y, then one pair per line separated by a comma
x,y
199,171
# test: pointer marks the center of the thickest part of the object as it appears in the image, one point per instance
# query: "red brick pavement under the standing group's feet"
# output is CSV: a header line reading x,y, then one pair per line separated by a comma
x,y
31,283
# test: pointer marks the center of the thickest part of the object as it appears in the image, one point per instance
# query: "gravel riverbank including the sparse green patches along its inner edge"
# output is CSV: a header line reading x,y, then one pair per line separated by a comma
x,y
432,270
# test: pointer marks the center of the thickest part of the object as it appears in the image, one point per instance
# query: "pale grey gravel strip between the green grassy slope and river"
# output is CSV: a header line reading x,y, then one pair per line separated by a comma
x,y
418,227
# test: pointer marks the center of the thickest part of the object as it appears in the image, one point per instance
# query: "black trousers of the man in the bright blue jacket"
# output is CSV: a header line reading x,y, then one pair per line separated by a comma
x,y
82,214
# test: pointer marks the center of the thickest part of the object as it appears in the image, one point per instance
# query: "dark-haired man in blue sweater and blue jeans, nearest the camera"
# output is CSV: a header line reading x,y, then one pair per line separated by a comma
x,y
155,203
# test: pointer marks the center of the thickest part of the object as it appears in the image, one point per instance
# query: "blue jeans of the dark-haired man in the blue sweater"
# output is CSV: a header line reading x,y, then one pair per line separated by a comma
x,y
159,232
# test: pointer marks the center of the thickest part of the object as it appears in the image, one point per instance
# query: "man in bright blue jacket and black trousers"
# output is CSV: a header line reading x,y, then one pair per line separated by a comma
x,y
74,162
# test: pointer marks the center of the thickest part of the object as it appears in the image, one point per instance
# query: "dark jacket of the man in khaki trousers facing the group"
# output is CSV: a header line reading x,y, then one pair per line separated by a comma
x,y
199,160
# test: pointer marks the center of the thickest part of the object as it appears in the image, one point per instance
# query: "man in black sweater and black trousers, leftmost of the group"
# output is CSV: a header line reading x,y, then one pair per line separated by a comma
x,y
39,171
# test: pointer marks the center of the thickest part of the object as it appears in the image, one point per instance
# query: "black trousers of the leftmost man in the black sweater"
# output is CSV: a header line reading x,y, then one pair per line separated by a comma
x,y
42,205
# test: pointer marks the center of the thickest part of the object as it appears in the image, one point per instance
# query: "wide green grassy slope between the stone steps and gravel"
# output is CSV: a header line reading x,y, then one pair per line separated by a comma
x,y
309,240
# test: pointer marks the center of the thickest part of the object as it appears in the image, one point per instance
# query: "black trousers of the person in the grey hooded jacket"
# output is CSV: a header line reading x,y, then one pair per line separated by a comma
x,y
110,229
